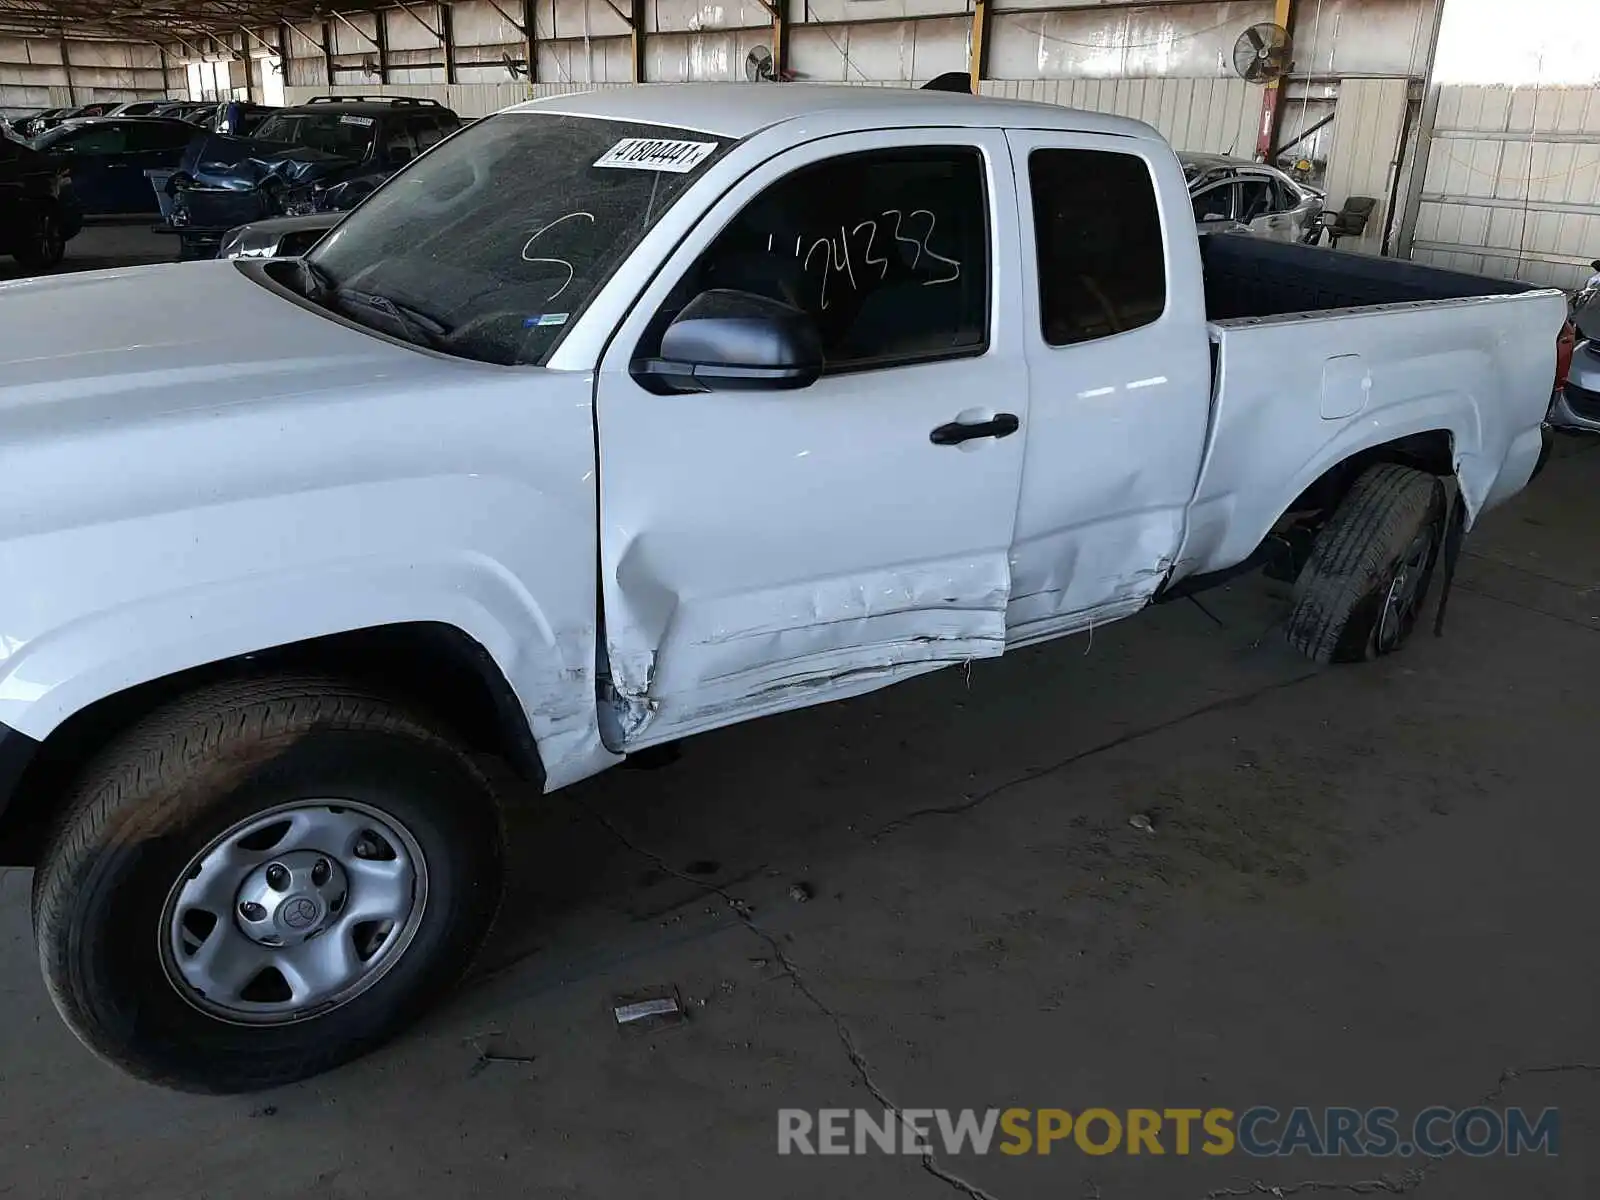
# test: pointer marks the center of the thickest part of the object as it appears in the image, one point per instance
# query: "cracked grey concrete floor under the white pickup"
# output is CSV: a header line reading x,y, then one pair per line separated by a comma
x,y
1364,886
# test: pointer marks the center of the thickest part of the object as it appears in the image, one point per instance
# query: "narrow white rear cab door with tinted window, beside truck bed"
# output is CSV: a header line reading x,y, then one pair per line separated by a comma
x,y
1119,418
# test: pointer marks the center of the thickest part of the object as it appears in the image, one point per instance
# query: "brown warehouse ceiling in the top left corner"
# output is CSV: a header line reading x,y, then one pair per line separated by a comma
x,y
161,20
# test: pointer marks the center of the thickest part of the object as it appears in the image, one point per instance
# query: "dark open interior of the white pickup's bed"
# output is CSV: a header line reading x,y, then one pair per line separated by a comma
x,y
1250,278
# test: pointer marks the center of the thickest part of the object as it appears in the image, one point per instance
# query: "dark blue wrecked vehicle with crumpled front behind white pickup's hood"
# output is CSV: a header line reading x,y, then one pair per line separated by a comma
x,y
319,158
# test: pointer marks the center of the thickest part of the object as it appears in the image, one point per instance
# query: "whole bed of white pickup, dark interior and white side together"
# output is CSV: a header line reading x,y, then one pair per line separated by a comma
x,y
1321,354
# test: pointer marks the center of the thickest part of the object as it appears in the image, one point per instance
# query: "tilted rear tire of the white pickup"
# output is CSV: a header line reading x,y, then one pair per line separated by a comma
x,y
1366,583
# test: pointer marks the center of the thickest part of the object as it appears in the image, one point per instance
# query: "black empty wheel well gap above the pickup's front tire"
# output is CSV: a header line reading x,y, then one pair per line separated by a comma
x,y
436,668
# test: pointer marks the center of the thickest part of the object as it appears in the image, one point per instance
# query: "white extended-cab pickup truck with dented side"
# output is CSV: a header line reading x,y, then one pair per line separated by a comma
x,y
622,417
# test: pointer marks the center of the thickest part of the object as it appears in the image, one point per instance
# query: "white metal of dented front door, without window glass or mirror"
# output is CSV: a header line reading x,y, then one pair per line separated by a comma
x,y
762,551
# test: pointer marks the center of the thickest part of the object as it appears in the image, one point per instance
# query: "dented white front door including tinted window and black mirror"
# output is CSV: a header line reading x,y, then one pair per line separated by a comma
x,y
777,534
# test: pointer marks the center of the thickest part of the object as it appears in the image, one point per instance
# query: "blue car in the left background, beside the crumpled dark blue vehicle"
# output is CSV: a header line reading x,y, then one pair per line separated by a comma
x,y
108,159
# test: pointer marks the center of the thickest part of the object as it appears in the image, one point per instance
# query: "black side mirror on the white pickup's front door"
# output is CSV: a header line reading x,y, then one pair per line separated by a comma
x,y
735,342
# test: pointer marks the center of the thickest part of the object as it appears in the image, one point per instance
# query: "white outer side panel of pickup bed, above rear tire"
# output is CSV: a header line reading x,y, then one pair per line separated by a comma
x,y
1300,394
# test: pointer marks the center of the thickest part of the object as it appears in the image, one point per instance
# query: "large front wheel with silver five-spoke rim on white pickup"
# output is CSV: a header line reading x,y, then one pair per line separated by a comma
x,y
146,825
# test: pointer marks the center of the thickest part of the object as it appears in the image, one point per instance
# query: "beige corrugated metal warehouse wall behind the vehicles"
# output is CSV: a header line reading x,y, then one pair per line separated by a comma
x,y
1513,182
